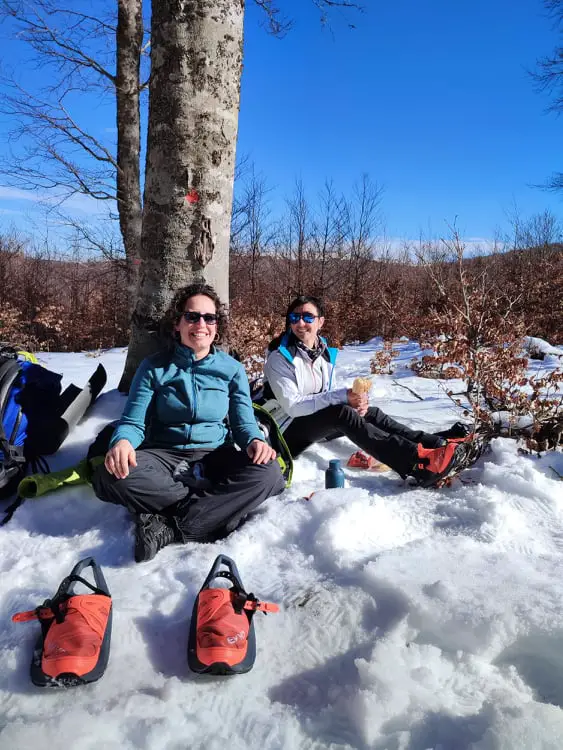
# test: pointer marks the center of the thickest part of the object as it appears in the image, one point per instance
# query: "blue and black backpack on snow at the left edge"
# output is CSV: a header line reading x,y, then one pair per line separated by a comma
x,y
35,417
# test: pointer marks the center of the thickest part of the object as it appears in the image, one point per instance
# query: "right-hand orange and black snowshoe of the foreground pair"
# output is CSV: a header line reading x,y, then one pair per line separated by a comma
x,y
222,639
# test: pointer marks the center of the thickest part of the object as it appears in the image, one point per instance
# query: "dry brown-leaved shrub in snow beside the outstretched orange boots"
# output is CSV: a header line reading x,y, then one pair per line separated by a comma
x,y
481,341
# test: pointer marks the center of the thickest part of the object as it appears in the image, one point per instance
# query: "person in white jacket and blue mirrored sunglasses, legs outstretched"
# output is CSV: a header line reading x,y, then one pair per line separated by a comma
x,y
299,374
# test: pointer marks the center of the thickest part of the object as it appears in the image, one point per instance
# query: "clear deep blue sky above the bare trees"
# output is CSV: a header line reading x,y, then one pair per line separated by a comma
x,y
431,99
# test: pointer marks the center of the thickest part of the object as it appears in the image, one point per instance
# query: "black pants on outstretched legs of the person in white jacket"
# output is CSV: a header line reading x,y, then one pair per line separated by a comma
x,y
377,434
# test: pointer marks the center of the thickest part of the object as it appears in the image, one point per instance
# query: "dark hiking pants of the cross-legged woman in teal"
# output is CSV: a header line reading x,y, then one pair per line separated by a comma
x,y
234,488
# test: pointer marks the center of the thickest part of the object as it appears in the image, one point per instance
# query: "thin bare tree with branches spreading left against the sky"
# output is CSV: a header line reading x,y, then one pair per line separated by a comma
x,y
85,54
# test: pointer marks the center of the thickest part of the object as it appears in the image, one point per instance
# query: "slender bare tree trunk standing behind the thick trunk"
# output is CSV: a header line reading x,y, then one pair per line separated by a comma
x,y
129,38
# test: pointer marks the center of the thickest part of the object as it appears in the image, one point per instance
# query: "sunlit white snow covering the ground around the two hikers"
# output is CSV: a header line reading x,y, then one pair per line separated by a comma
x,y
410,619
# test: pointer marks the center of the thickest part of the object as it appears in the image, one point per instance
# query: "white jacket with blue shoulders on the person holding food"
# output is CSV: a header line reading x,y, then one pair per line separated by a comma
x,y
295,386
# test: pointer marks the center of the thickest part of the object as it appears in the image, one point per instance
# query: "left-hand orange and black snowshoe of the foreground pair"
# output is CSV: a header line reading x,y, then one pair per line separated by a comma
x,y
73,648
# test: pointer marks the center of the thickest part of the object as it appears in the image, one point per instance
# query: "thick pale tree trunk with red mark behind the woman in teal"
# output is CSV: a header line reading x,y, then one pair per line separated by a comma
x,y
196,60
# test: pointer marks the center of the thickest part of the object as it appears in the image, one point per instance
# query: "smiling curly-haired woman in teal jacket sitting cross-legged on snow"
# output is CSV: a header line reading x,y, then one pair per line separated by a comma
x,y
175,415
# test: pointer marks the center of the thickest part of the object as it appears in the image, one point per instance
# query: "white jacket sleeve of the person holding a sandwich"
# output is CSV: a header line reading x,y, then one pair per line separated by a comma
x,y
280,375
